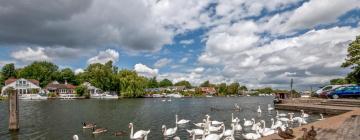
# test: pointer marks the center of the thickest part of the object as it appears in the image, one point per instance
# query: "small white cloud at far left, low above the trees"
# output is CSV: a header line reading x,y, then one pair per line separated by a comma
x,y
30,54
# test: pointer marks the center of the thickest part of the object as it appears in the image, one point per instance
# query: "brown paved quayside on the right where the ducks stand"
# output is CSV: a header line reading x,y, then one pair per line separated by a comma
x,y
343,125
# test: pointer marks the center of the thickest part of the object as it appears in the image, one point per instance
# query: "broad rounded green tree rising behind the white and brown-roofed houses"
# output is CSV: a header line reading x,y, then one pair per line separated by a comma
x,y
41,71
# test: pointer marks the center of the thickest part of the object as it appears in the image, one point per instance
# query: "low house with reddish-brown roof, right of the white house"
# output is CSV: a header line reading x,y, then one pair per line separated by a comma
x,y
57,88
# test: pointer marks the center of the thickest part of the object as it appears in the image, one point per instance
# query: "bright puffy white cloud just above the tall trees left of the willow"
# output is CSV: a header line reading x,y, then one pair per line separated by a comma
x,y
105,56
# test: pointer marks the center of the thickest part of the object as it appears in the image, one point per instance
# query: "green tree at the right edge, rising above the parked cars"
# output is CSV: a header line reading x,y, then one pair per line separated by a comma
x,y
352,60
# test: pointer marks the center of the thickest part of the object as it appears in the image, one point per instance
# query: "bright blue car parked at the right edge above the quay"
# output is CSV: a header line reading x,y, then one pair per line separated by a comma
x,y
345,91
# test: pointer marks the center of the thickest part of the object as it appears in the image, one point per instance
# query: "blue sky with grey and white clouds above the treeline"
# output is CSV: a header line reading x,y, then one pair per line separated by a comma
x,y
258,43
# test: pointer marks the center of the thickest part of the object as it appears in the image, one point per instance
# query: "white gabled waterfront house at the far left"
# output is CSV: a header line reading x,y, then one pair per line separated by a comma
x,y
22,86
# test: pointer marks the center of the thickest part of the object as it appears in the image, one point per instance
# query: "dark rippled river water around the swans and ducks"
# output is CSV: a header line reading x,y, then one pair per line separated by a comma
x,y
61,119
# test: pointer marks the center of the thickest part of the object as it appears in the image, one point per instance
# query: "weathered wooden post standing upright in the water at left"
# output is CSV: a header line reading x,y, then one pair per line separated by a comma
x,y
13,110
